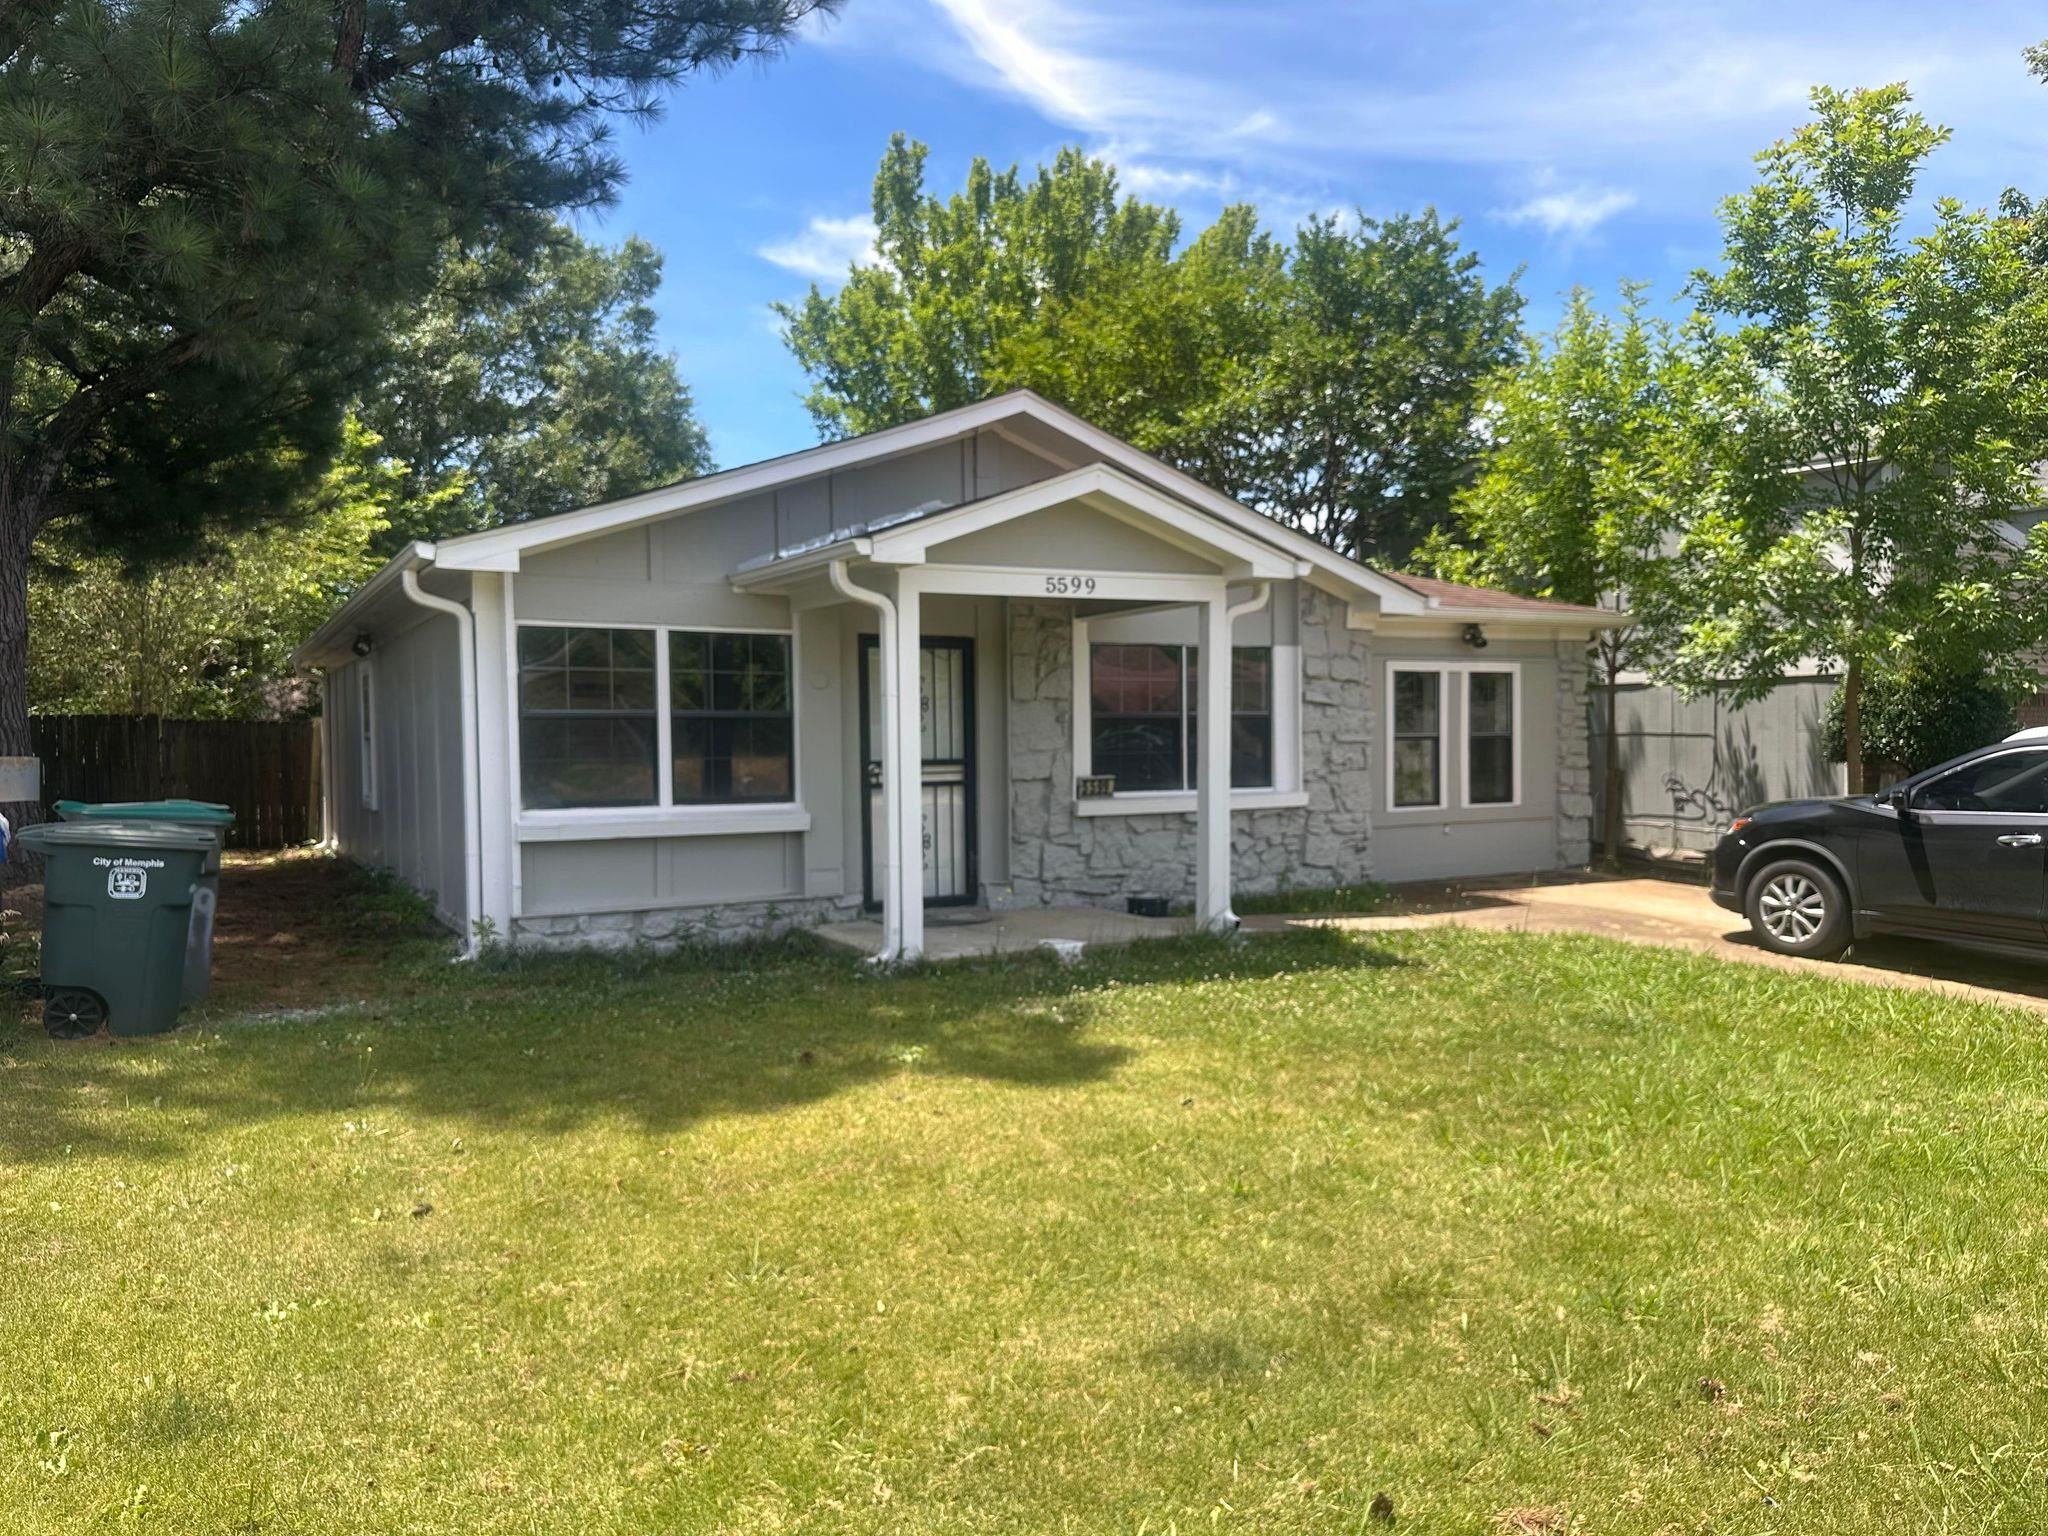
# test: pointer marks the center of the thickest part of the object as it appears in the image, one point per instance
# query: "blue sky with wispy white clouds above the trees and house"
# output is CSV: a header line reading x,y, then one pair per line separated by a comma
x,y
1582,142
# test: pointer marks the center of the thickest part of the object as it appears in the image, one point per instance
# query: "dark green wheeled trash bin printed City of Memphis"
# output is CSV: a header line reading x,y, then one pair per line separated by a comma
x,y
118,908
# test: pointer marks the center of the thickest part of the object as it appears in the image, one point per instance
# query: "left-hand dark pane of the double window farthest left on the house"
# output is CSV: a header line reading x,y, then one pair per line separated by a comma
x,y
589,726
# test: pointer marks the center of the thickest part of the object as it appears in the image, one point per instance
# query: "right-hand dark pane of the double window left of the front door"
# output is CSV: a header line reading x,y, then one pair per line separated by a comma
x,y
732,734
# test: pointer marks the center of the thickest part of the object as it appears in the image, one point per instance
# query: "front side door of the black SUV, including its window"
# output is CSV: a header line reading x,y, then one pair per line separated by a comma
x,y
1969,855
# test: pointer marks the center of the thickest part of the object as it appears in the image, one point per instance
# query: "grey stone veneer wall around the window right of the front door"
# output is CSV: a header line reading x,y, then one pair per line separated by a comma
x,y
1058,857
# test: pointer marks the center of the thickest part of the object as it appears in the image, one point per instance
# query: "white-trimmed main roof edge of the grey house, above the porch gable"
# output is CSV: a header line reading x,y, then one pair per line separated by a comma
x,y
499,550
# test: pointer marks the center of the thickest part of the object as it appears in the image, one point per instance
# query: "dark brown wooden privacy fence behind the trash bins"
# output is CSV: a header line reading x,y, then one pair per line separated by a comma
x,y
267,771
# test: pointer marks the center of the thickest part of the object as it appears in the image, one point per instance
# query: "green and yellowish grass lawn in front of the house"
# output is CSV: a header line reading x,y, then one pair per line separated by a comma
x,y
1525,1234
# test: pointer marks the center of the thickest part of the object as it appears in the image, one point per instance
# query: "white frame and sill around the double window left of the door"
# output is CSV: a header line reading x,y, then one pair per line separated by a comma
x,y
665,818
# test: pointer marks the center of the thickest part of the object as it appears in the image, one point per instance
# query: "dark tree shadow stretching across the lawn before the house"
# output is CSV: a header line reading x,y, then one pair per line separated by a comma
x,y
546,1046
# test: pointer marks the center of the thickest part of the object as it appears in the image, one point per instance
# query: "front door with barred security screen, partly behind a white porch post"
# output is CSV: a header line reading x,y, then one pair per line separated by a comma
x,y
947,728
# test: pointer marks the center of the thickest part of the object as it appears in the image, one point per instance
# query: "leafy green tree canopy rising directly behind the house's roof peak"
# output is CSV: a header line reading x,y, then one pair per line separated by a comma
x,y
1332,384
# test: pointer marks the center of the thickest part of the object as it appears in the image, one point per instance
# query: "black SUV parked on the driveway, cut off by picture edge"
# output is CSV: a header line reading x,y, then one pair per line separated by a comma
x,y
1951,853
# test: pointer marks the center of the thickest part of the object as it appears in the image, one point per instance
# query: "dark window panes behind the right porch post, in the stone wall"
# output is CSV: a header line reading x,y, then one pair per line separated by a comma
x,y
1144,726
